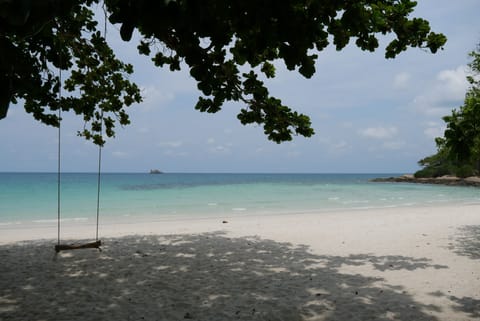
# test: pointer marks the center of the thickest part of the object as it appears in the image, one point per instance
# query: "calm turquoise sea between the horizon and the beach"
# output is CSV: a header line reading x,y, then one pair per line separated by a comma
x,y
32,197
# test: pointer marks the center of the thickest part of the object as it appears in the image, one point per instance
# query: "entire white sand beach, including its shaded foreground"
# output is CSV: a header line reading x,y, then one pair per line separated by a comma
x,y
413,263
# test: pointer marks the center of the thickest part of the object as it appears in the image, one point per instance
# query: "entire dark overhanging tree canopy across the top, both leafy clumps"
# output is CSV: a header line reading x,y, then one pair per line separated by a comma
x,y
226,45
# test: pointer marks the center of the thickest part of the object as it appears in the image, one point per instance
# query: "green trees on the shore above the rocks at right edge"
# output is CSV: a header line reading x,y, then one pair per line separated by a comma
x,y
458,151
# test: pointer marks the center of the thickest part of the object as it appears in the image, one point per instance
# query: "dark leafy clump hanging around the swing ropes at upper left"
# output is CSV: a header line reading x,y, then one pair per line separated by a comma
x,y
39,37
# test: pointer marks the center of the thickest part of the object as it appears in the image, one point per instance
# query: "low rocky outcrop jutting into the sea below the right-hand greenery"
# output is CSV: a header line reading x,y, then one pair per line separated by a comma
x,y
443,180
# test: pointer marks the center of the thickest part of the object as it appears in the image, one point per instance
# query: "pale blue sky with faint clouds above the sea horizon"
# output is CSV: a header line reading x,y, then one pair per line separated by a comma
x,y
370,115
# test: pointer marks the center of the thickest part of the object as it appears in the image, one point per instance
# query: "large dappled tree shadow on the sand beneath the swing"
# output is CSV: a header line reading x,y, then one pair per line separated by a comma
x,y
199,277
